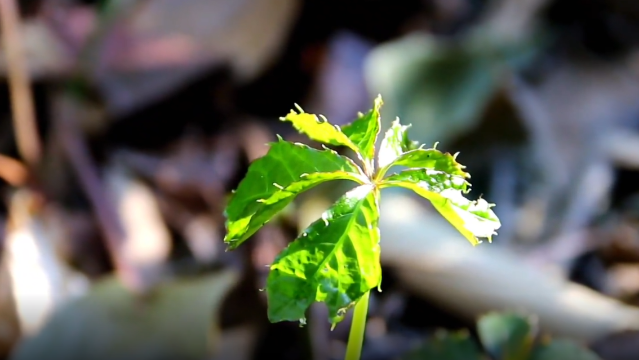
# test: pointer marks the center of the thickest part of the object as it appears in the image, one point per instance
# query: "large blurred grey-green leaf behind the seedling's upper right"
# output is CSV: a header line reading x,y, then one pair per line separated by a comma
x,y
442,86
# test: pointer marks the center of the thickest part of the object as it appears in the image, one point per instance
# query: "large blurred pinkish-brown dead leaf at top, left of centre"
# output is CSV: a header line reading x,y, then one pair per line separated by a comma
x,y
158,45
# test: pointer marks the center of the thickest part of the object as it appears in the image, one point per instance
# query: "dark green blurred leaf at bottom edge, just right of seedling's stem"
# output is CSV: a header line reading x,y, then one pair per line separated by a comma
x,y
447,346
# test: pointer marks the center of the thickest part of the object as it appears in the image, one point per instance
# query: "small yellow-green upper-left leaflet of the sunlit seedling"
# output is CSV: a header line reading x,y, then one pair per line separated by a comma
x,y
319,129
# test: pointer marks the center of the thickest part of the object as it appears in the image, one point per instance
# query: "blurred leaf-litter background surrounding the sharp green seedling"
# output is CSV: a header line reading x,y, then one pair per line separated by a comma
x,y
125,124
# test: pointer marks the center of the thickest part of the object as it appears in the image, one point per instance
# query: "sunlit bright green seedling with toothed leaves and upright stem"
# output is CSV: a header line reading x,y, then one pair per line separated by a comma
x,y
336,260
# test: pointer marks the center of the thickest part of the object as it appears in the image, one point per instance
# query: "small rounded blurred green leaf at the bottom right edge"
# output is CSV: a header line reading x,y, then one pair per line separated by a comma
x,y
506,336
